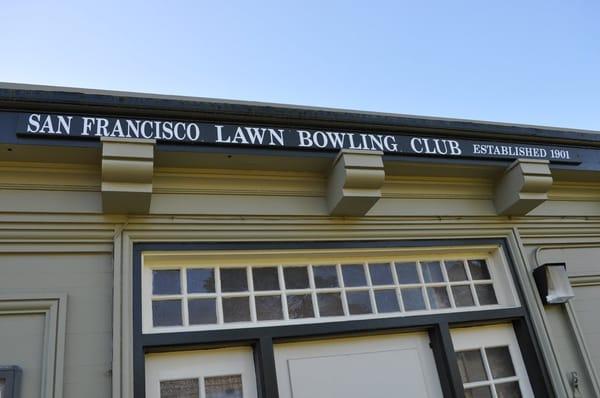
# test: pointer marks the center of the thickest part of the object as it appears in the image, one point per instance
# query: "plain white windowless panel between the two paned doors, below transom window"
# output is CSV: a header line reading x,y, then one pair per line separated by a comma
x,y
374,367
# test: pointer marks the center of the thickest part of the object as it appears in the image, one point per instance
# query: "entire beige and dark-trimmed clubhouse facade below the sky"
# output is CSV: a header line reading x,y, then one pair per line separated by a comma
x,y
155,246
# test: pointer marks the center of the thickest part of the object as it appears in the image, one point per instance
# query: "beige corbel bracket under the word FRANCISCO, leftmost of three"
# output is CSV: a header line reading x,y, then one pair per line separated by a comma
x,y
127,170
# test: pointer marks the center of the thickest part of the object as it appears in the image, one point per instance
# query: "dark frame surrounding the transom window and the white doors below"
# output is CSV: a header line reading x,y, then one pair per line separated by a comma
x,y
262,339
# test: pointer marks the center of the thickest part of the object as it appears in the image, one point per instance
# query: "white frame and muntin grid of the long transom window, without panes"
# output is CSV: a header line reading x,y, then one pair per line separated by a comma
x,y
500,277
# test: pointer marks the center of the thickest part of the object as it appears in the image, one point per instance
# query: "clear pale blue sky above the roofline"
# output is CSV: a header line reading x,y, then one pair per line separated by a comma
x,y
535,62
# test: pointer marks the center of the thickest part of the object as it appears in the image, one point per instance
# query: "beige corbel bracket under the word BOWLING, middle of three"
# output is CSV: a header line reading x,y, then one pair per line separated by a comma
x,y
355,182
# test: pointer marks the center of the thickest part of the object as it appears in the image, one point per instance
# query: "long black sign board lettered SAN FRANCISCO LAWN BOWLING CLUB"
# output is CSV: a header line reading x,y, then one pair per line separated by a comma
x,y
186,132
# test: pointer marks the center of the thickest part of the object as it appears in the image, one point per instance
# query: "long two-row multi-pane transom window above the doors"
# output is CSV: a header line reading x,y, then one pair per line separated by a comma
x,y
207,296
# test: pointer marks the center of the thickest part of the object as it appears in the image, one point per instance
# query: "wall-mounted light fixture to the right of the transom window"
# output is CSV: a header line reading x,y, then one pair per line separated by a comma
x,y
553,283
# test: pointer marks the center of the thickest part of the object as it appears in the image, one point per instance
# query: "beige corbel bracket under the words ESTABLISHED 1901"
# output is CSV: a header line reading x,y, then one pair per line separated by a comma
x,y
523,187
